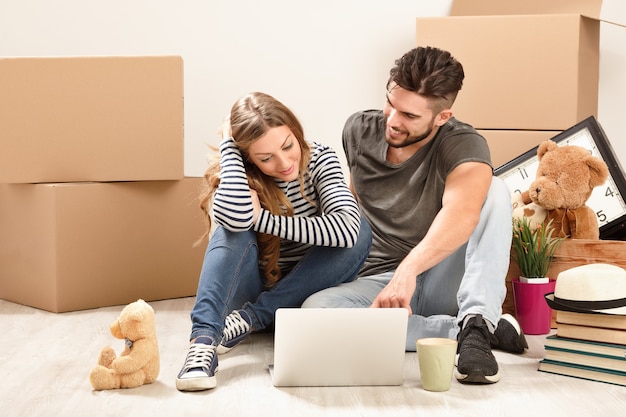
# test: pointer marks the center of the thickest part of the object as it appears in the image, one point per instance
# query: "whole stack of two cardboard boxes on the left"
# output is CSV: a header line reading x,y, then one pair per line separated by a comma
x,y
94,206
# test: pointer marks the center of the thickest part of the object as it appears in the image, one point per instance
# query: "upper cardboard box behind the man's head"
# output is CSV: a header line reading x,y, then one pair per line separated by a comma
x,y
535,72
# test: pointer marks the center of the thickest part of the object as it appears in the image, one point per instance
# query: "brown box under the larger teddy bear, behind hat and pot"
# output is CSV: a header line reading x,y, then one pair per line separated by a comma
x,y
571,253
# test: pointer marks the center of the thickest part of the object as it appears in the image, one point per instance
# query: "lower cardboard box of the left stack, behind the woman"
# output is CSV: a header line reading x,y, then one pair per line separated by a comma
x,y
75,246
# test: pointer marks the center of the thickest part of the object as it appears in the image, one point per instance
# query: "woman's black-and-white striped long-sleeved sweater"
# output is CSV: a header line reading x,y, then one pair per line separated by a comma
x,y
333,221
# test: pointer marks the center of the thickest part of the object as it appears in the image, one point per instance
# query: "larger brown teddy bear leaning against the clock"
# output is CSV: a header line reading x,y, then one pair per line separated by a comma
x,y
565,178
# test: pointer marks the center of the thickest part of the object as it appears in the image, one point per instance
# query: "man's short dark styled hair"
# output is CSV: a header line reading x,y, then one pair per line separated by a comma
x,y
430,72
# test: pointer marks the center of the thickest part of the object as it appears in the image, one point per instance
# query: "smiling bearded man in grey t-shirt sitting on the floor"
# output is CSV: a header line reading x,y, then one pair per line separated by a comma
x,y
441,221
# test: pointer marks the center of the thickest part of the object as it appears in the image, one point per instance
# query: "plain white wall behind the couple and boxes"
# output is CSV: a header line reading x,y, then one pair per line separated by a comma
x,y
325,59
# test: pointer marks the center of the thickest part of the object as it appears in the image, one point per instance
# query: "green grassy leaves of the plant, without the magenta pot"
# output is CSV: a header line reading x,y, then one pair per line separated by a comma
x,y
533,249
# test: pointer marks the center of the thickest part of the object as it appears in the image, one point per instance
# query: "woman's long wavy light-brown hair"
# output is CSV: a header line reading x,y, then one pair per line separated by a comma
x,y
251,117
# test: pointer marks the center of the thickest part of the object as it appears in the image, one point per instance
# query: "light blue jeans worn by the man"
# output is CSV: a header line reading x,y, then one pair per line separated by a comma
x,y
469,281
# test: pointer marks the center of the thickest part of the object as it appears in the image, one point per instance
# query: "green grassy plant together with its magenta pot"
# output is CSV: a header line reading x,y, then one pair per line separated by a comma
x,y
532,249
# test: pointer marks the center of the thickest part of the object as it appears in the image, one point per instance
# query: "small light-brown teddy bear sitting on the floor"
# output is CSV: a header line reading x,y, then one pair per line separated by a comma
x,y
139,363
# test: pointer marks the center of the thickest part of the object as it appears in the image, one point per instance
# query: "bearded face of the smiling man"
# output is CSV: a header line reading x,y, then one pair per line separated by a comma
x,y
408,118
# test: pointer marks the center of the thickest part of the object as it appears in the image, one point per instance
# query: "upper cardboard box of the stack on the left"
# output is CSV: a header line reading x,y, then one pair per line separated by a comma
x,y
91,119
